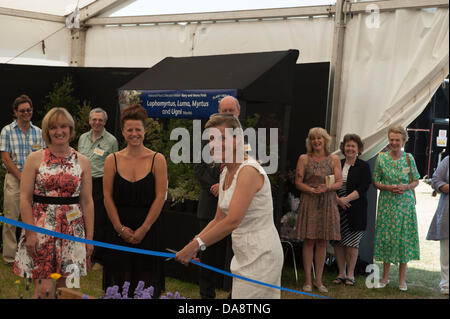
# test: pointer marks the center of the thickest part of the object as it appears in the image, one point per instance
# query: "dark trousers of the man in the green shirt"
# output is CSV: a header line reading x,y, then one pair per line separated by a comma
x,y
100,218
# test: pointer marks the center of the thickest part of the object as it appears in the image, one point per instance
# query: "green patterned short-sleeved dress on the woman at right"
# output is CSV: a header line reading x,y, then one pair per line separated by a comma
x,y
396,235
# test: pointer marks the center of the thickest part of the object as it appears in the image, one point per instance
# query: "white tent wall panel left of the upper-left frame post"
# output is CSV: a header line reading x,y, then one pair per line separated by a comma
x,y
21,42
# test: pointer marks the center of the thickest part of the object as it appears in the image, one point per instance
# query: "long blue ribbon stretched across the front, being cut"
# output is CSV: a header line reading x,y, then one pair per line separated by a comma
x,y
140,251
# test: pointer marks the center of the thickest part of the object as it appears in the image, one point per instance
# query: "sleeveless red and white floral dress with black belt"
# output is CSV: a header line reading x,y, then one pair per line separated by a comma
x,y
56,177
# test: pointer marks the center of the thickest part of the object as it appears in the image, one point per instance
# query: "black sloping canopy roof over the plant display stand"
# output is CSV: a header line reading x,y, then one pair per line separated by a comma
x,y
264,76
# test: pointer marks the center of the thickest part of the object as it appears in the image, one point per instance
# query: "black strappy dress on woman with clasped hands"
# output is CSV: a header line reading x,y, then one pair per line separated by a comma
x,y
133,201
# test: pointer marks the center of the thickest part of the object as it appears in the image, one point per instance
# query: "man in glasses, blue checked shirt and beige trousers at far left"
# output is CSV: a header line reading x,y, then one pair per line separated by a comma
x,y
17,141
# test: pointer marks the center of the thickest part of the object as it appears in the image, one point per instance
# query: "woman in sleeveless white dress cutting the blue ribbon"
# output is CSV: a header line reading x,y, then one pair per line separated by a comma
x,y
245,211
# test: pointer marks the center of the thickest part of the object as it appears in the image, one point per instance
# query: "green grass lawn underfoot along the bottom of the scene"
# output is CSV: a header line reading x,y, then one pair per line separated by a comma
x,y
422,284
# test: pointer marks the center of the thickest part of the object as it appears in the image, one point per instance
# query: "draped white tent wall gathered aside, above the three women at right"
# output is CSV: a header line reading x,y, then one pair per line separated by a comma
x,y
390,72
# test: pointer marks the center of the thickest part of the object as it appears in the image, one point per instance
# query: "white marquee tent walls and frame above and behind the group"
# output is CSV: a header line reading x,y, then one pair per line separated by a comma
x,y
387,57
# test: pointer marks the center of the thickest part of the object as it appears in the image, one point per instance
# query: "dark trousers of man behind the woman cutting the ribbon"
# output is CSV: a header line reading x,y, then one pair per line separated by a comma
x,y
219,256
